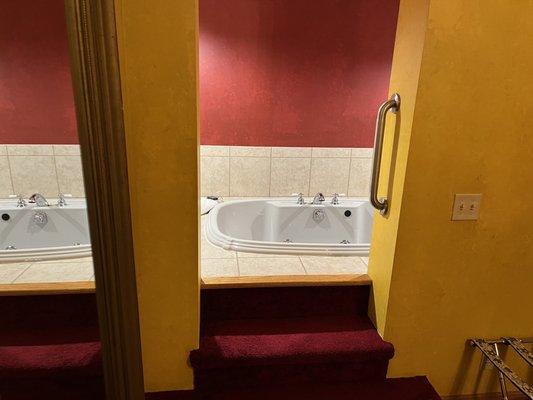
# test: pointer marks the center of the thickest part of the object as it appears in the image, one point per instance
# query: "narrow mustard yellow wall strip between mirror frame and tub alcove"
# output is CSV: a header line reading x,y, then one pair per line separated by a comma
x,y
157,49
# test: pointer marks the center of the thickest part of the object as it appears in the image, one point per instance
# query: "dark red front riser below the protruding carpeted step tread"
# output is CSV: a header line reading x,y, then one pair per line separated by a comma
x,y
265,376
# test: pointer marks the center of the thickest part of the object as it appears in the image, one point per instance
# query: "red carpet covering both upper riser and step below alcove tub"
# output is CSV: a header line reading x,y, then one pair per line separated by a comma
x,y
287,336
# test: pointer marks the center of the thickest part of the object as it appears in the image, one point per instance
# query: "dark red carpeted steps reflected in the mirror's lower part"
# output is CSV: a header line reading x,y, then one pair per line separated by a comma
x,y
49,348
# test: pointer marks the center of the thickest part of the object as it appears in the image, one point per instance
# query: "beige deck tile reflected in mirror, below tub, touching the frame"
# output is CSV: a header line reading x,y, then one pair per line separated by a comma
x,y
59,272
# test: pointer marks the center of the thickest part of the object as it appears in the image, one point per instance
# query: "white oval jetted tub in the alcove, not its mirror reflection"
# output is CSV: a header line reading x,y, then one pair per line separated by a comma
x,y
281,226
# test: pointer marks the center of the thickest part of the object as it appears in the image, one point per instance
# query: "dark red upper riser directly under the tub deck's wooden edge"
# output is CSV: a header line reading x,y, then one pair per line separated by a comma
x,y
284,302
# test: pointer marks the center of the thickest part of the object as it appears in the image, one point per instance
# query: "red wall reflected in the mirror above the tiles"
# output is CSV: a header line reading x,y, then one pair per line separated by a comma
x,y
36,100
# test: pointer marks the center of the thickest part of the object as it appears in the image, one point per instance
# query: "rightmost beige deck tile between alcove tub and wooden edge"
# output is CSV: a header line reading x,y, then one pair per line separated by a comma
x,y
333,265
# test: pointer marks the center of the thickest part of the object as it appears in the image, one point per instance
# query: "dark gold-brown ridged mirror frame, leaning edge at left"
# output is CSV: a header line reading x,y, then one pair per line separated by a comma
x,y
97,91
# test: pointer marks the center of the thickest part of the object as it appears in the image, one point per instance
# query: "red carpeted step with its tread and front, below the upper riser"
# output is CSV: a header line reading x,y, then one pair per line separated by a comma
x,y
249,352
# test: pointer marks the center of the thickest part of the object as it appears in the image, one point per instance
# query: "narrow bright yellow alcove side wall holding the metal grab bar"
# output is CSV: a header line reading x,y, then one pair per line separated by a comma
x,y
410,36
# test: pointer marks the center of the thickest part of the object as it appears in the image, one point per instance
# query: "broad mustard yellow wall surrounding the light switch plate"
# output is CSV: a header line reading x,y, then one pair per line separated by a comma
x,y
451,281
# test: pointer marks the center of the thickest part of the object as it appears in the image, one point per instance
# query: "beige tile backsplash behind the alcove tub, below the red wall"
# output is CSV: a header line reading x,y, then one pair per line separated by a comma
x,y
280,171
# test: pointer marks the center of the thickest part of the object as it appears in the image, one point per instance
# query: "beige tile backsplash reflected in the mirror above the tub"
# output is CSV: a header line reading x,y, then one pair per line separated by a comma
x,y
46,169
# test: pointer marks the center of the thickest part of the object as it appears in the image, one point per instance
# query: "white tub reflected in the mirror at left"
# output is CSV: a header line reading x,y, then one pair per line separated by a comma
x,y
34,233
